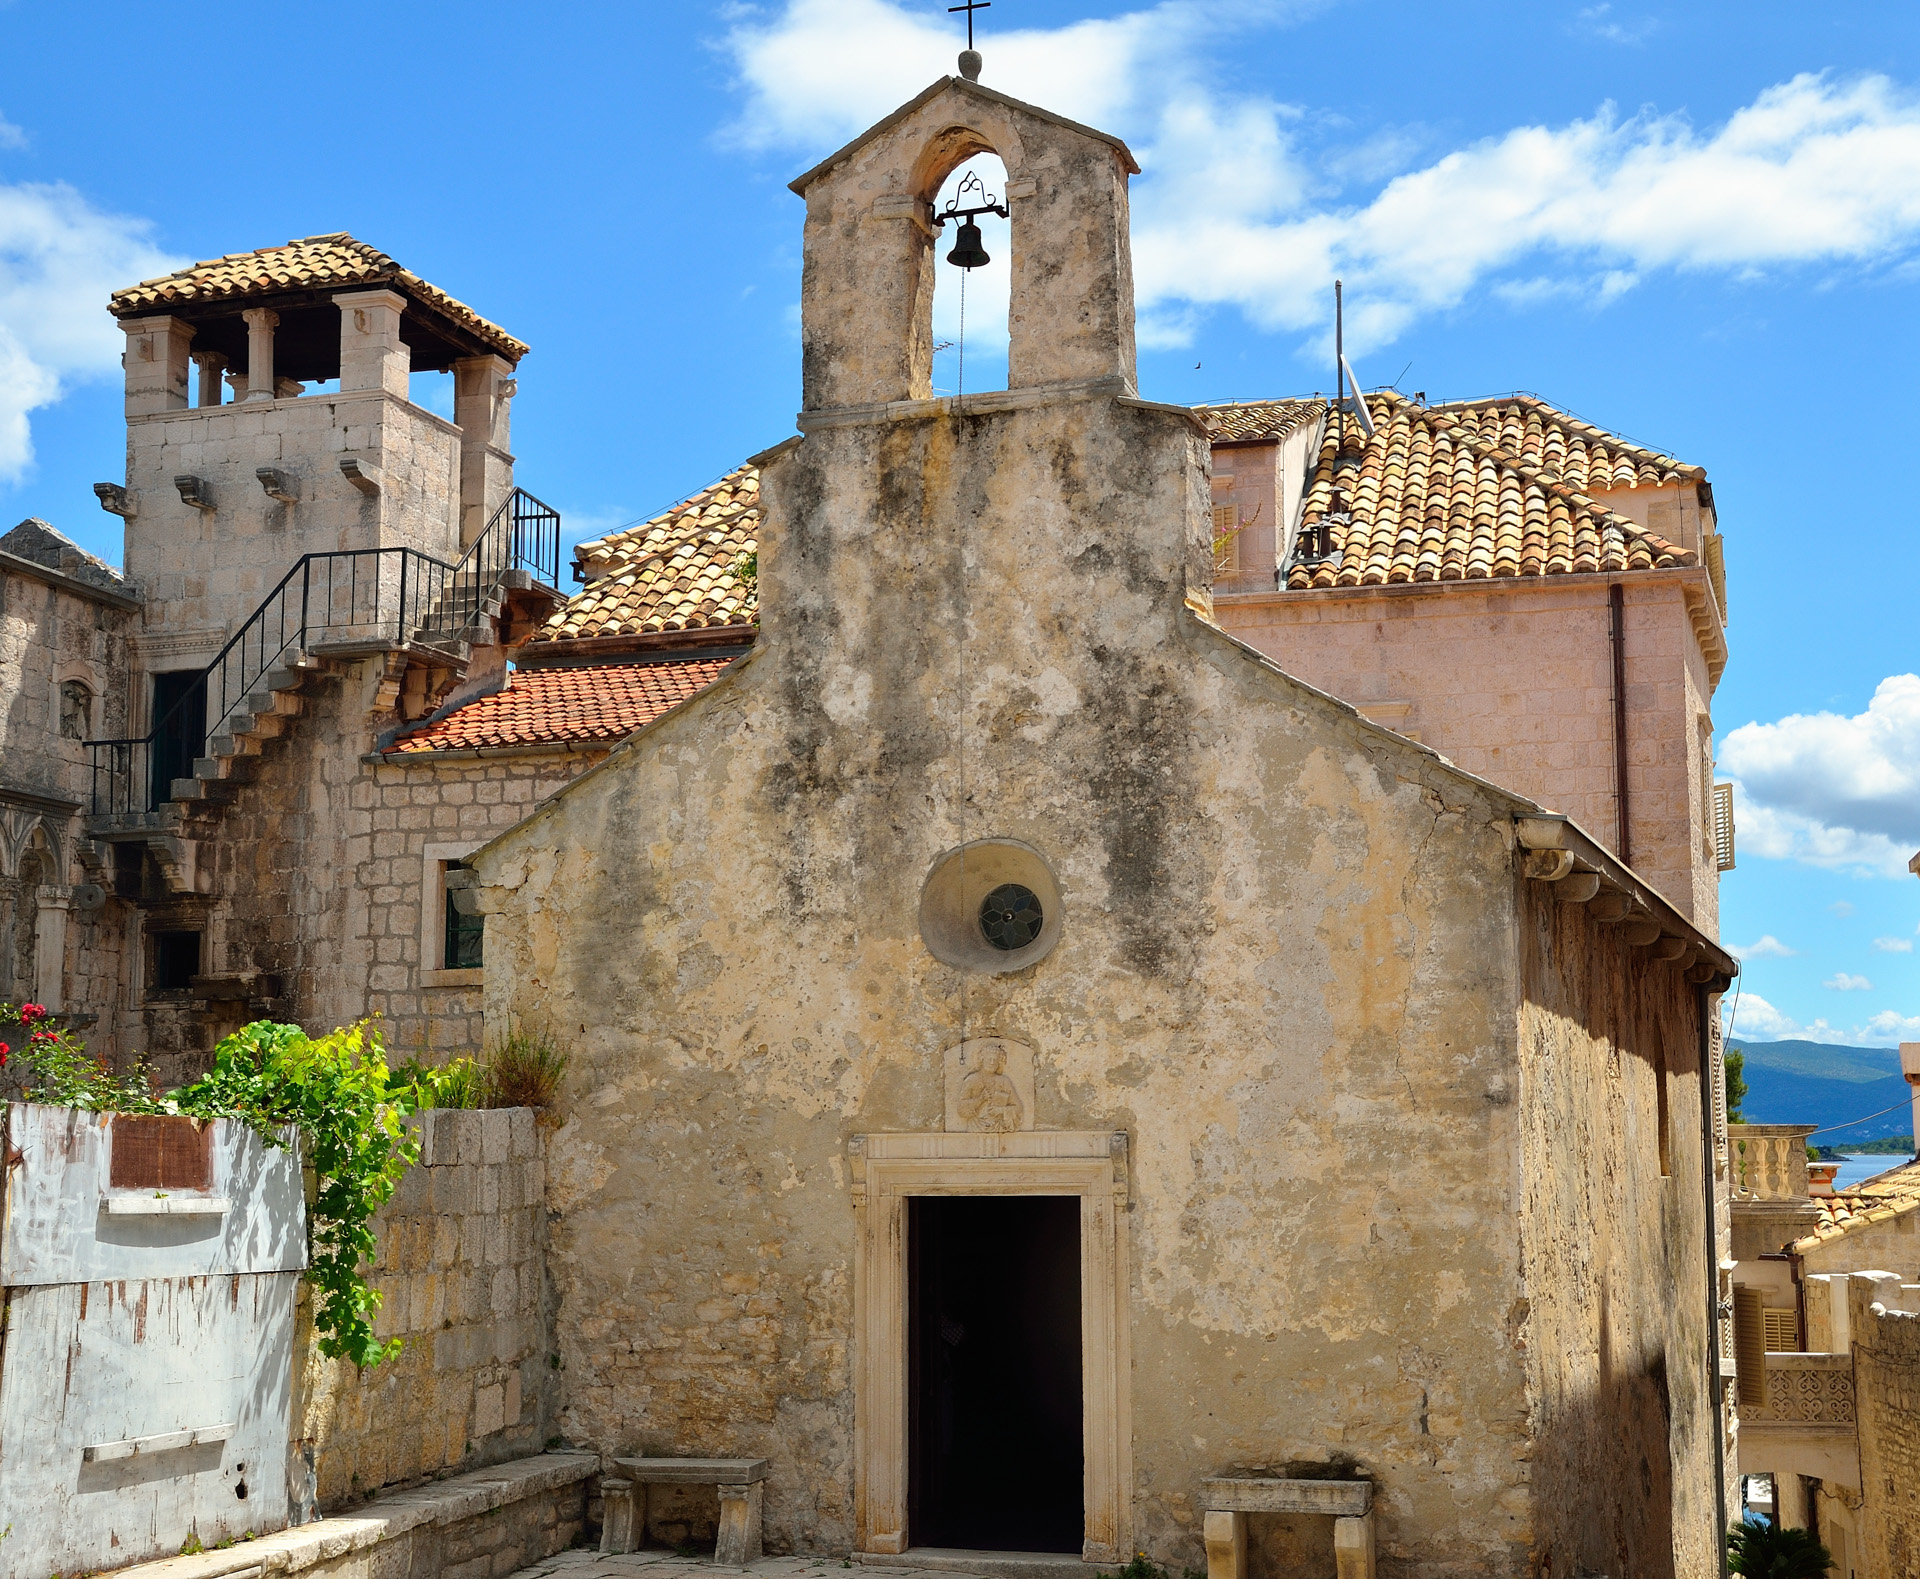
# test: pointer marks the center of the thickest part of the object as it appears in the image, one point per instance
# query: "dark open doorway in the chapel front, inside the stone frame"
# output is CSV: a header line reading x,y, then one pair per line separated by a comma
x,y
996,1373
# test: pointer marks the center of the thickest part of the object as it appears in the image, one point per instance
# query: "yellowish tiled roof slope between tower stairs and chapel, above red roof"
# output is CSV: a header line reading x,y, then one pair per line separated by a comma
x,y
671,573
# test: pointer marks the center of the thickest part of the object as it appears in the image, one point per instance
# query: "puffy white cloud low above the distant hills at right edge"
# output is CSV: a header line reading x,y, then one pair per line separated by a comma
x,y
1833,790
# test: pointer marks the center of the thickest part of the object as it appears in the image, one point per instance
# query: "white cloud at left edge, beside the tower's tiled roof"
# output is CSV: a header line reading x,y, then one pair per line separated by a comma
x,y
60,258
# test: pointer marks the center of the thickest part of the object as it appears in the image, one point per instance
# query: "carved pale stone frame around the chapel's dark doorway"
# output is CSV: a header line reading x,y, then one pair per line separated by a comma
x,y
888,1169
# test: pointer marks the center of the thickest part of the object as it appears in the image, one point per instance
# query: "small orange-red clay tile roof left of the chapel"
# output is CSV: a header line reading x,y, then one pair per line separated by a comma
x,y
602,702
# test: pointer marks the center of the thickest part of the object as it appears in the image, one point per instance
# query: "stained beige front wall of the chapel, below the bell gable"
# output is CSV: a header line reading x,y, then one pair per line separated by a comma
x,y
1287,973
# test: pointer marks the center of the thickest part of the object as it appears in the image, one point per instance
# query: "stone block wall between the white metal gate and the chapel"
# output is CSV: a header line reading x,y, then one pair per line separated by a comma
x,y
462,1276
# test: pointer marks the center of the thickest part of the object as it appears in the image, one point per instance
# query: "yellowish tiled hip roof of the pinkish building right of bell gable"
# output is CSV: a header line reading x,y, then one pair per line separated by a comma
x,y
1479,491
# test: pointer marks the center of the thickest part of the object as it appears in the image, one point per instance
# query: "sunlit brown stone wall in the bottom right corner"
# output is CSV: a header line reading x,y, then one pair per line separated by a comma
x,y
1886,1390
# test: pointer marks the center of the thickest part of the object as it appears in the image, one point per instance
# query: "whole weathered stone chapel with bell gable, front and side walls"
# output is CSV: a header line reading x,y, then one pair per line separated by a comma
x,y
1001,877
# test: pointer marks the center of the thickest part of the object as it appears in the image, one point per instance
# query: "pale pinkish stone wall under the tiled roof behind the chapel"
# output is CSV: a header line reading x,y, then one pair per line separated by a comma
x,y
1516,683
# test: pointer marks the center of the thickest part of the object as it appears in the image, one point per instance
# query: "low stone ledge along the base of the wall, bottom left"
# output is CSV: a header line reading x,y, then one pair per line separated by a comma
x,y
387,1518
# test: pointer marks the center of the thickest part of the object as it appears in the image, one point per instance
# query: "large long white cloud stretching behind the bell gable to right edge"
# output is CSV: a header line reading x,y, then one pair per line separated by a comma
x,y
1236,210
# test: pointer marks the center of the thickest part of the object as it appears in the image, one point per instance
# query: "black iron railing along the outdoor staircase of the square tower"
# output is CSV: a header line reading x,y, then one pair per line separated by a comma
x,y
347,598
